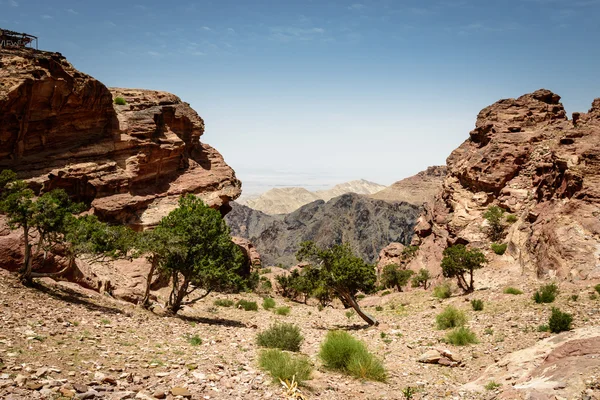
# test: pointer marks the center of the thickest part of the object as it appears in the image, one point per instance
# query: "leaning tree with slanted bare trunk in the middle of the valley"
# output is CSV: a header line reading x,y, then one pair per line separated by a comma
x,y
343,272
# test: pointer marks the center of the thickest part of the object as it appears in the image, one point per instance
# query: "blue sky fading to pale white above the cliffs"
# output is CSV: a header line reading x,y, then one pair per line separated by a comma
x,y
314,92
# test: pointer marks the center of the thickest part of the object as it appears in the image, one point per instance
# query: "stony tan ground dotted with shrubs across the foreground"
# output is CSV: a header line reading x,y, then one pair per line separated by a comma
x,y
60,341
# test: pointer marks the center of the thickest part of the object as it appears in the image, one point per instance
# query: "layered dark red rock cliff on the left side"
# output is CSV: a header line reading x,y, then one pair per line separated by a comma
x,y
60,129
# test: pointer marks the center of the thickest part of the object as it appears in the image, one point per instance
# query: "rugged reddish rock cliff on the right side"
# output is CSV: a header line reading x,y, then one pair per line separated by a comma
x,y
526,156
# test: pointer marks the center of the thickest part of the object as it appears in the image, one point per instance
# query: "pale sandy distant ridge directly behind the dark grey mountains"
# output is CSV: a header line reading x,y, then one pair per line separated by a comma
x,y
287,200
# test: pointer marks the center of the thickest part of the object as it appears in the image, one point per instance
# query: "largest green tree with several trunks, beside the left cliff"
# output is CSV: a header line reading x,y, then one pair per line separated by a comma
x,y
201,255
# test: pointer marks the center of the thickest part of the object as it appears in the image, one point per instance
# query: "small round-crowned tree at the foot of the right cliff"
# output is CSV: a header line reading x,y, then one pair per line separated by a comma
x,y
459,261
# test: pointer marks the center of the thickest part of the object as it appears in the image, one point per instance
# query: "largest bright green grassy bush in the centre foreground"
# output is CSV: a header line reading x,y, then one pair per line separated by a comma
x,y
342,352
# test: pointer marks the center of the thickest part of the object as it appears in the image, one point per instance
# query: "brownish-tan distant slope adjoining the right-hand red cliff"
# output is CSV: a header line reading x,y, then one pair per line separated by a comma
x,y
418,189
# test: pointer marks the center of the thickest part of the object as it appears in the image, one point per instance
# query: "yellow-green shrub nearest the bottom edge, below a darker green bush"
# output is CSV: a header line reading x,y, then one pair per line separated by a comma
x,y
284,366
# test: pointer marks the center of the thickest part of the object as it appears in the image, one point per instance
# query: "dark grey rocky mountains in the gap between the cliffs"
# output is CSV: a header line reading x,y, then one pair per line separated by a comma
x,y
367,224
